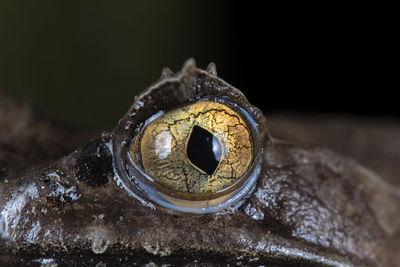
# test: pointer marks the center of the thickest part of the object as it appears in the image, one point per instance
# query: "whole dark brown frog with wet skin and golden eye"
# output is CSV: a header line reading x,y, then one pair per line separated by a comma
x,y
86,199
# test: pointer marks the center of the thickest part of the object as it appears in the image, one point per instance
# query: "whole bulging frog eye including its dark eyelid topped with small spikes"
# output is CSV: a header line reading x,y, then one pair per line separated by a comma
x,y
189,143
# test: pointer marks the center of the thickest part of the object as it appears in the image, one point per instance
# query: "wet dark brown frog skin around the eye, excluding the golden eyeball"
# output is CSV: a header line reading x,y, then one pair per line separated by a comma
x,y
309,206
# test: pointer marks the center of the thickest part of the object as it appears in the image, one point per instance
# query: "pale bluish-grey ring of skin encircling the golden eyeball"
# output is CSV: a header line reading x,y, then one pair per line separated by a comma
x,y
139,183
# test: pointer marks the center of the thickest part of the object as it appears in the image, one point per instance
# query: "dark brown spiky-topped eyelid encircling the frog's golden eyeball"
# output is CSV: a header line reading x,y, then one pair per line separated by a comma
x,y
173,90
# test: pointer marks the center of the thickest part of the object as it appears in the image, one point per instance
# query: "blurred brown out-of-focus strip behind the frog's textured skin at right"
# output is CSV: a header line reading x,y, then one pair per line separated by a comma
x,y
372,142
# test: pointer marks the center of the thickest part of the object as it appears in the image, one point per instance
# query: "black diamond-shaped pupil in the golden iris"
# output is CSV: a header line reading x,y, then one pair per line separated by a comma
x,y
204,150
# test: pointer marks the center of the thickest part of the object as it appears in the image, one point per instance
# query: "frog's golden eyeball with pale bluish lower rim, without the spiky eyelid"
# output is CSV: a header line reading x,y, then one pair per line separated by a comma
x,y
197,158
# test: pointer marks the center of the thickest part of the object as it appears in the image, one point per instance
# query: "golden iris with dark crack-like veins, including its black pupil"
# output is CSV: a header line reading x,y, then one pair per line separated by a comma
x,y
213,131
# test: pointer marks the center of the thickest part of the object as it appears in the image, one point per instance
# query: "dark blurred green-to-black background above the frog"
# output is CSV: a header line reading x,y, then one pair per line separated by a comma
x,y
83,62
